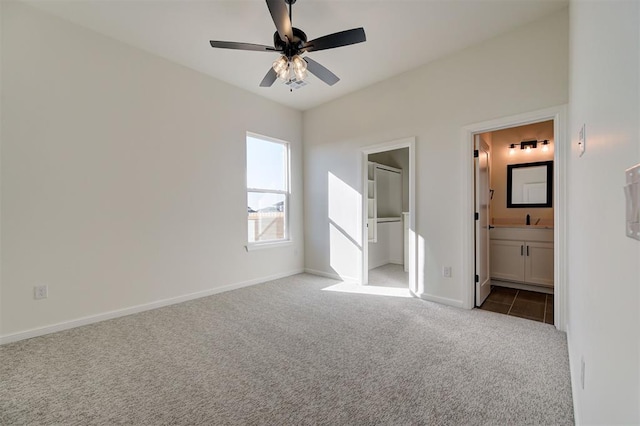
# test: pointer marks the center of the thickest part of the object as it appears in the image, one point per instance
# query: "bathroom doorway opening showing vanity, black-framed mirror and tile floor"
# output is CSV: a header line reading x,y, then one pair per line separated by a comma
x,y
514,227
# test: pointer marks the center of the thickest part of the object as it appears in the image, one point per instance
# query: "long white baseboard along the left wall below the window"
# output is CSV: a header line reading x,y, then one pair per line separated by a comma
x,y
65,325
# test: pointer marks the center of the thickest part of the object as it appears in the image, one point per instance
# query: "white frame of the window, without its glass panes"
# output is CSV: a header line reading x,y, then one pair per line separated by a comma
x,y
258,245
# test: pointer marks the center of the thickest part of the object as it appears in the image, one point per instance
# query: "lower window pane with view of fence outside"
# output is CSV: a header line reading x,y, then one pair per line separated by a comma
x,y
266,220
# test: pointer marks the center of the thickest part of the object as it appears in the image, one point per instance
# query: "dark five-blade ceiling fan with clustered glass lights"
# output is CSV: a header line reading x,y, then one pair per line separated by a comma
x,y
292,42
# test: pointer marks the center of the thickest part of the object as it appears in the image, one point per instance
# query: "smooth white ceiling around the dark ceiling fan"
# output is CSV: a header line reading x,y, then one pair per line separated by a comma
x,y
401,35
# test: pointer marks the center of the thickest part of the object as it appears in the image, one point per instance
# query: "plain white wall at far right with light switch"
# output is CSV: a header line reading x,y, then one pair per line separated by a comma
x,y
603,264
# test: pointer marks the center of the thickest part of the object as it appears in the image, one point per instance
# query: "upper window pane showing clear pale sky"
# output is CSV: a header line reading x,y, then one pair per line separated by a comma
x,y
266,164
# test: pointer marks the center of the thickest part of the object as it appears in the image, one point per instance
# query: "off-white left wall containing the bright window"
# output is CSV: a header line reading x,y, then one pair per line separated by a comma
x,y
123,176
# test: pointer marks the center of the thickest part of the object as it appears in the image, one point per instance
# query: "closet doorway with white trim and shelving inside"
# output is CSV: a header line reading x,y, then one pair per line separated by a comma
x,y
388,223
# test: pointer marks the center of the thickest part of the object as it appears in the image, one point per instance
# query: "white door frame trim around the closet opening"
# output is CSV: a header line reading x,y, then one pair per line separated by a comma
x,y
409,143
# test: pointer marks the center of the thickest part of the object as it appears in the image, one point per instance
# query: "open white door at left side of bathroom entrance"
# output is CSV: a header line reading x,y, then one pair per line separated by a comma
x,y
483,197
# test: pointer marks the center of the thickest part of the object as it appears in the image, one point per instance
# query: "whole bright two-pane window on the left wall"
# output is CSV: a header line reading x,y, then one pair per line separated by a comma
x,y
267,190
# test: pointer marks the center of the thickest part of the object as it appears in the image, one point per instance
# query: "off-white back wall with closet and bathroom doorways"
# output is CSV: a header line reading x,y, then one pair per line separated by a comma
x,y
524,70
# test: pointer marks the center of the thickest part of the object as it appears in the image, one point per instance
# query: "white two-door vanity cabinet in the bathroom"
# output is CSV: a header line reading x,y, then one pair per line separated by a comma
x,y
522,255
